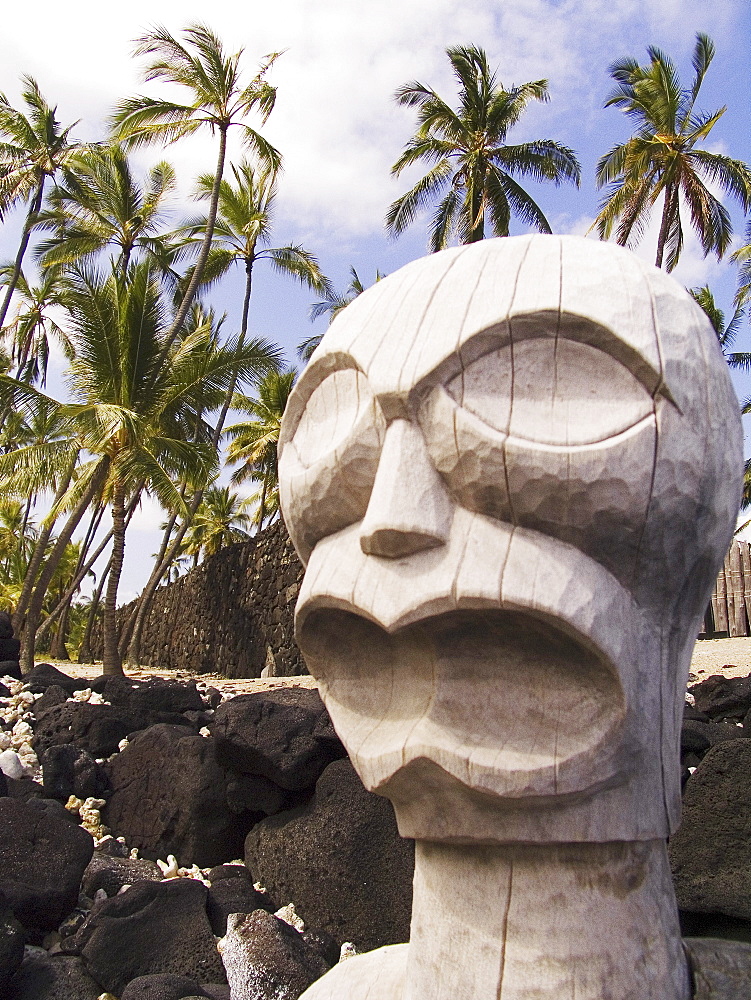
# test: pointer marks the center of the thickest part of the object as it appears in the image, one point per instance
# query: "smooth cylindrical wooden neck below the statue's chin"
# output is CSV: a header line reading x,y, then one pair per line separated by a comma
x,y
545,922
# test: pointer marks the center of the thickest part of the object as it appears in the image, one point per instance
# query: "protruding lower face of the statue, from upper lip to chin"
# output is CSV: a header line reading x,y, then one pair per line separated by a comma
x,y
493,686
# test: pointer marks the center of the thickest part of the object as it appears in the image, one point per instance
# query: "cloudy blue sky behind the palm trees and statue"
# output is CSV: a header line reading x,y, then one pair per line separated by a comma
x,y
339,130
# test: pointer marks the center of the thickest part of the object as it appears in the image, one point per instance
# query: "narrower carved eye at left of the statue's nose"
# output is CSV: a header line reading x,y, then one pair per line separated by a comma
x,y
330,415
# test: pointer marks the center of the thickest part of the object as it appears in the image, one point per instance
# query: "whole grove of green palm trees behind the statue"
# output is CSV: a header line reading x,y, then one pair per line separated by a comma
x,y
161,393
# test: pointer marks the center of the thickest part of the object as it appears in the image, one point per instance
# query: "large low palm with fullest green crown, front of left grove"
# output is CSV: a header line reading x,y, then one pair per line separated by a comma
x,y
135,405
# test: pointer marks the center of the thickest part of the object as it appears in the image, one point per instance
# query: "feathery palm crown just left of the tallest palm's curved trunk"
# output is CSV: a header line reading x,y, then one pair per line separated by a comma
x,y
102,205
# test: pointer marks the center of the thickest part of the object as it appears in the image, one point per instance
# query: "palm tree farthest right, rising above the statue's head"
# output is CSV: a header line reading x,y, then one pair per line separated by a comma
x,y
663,159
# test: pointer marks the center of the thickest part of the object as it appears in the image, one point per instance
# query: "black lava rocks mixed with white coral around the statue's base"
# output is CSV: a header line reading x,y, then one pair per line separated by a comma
x,y
285,860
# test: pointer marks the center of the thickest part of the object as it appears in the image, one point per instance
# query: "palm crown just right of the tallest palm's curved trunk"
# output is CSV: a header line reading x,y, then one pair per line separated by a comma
x,y
242,232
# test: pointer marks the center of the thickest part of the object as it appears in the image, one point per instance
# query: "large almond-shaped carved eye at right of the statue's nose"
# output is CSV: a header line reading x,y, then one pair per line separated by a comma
x,y
552,391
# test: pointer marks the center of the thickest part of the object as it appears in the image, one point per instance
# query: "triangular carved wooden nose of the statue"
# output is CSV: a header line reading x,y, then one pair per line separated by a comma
x,y
409,509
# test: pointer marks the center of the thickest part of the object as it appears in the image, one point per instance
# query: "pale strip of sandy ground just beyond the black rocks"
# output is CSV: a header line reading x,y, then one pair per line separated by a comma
x,y
731,657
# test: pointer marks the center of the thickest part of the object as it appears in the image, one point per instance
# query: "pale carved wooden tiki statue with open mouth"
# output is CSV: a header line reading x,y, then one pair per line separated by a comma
x,y
512,470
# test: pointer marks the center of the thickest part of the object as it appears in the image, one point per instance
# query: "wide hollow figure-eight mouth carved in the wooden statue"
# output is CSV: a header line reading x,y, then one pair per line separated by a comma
x,y
508,703
